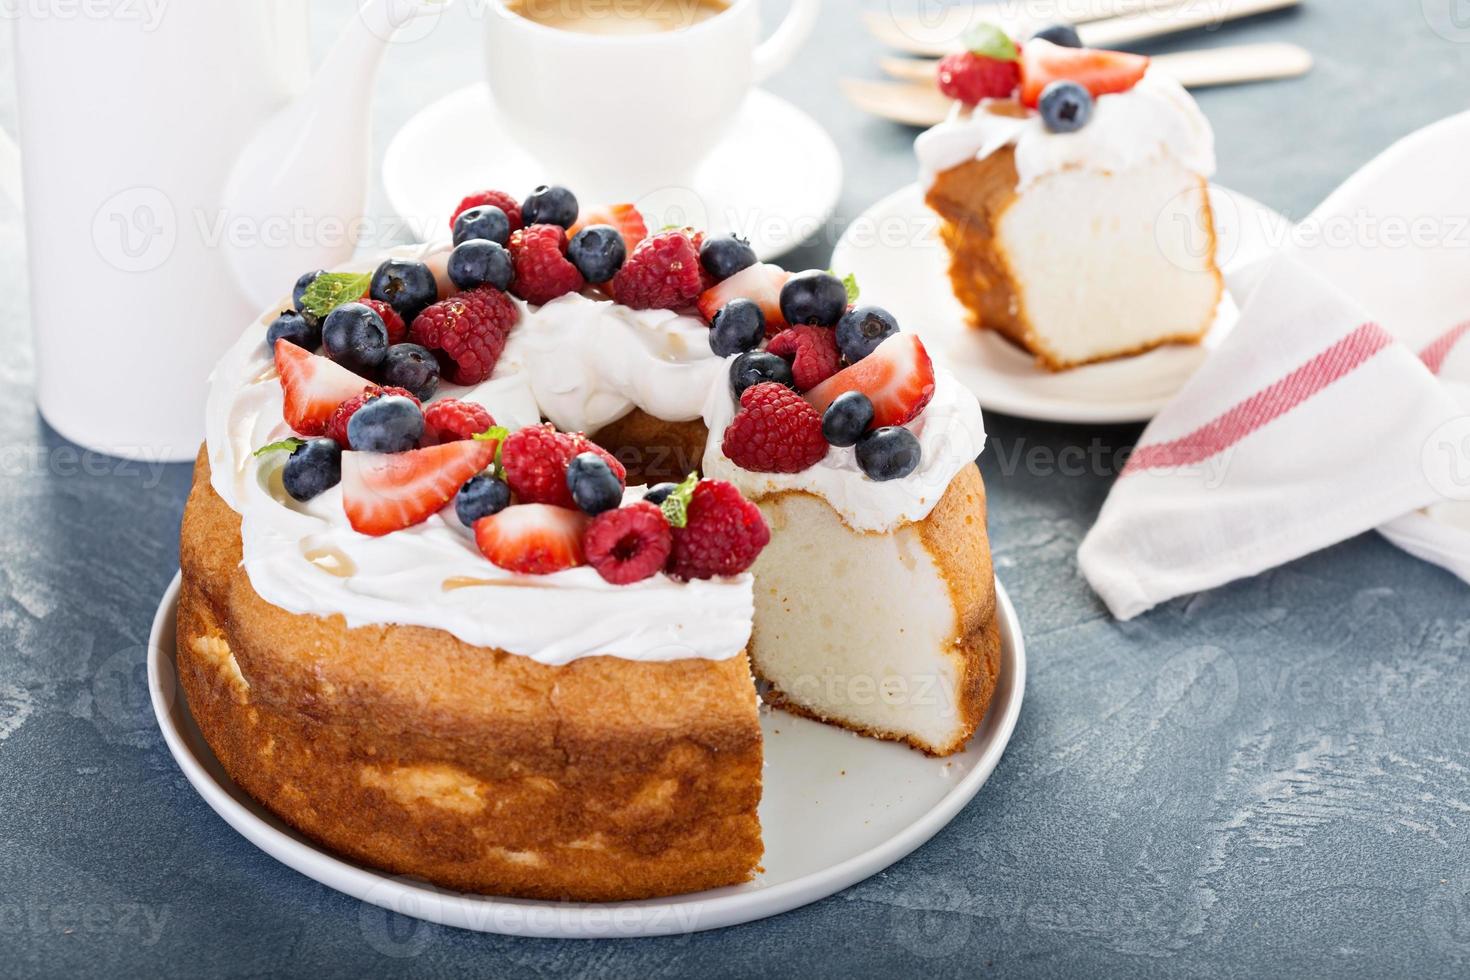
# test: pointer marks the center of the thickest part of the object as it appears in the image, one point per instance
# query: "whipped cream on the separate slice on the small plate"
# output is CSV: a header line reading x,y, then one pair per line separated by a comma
x,y
1156,118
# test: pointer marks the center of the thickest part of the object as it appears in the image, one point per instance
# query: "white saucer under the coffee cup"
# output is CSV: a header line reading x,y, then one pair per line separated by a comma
x,y
775,199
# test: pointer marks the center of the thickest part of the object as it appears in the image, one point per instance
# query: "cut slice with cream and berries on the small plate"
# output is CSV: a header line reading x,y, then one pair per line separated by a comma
x,y
1074,195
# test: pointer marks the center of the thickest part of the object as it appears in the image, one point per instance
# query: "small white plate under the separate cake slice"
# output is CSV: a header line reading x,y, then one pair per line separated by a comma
x,y
902,265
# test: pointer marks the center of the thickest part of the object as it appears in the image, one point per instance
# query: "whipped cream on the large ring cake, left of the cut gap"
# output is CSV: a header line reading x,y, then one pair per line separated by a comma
x,y
306,558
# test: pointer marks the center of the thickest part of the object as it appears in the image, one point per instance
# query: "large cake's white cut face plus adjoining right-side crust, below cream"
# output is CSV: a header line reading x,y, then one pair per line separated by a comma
x,y
897,637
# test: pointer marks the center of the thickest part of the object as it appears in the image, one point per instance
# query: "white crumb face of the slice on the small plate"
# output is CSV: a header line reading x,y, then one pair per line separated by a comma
x,y
1111,264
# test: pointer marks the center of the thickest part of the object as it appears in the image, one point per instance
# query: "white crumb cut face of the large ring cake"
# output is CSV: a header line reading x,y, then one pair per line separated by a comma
x,y
856,628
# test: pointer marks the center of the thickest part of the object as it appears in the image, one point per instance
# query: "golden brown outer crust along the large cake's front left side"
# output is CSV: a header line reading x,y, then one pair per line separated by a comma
x,y
409,750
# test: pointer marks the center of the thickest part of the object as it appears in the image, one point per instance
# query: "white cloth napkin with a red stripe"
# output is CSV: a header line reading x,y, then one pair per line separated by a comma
x,y
1340,403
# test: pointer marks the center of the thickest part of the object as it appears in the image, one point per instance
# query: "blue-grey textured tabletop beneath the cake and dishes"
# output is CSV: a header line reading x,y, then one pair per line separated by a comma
x,y
1269,779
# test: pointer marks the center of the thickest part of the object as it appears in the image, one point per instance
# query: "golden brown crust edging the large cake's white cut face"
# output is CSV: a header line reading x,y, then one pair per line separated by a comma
x,y
956,537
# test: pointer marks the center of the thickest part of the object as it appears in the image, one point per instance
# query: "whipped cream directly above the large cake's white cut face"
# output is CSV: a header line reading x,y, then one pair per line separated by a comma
x,y
952,436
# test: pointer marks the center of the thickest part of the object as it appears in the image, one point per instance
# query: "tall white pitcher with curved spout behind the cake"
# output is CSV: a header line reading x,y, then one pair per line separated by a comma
x,y
182,168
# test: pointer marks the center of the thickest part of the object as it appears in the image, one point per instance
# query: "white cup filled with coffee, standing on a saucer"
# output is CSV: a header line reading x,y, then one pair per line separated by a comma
x,y
617,117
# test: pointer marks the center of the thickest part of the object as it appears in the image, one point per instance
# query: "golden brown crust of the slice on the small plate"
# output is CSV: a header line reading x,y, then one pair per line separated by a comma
x,y
971,201
